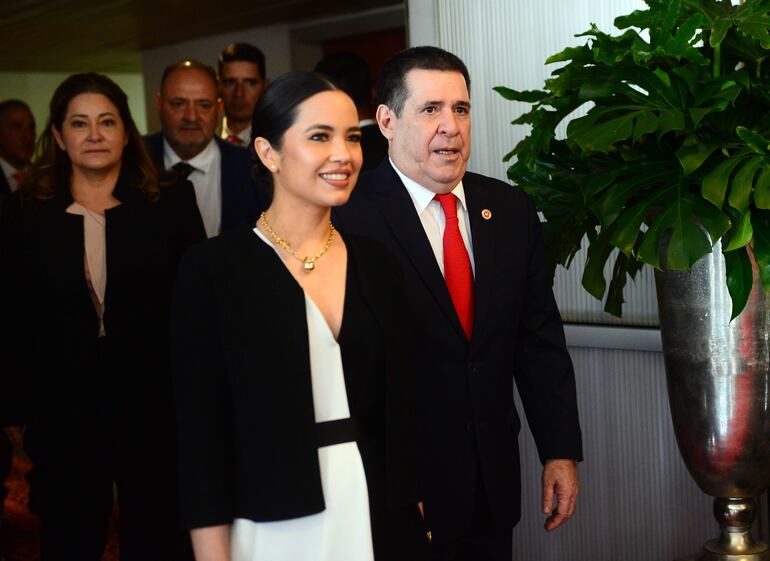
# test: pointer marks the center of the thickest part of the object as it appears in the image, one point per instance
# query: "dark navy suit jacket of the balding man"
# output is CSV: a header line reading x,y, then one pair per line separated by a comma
x,y
242,198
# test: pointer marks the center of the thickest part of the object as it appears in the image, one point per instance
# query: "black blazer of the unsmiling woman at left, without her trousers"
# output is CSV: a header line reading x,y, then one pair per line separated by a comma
x,y
48,324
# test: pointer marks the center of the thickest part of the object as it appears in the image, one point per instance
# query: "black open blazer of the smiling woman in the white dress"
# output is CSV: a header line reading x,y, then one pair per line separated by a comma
x,y
247,440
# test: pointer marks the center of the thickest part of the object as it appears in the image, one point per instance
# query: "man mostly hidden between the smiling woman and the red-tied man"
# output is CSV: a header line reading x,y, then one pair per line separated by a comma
x,y
351,73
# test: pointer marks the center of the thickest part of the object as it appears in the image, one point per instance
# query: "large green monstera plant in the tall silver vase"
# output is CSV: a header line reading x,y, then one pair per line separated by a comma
x,y
673,154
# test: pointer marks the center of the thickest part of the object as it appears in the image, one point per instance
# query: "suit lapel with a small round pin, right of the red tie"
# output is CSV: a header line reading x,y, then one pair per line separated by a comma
x,y
482,232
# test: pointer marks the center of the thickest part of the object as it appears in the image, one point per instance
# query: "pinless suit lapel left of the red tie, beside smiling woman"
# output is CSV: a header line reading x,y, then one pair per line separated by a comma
x,y
398,209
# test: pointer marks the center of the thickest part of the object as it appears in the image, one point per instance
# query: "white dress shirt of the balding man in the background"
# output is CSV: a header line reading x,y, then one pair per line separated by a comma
x,y
207,181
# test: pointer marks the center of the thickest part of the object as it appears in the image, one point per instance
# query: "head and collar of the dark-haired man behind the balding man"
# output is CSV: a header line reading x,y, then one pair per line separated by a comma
x,y
241,72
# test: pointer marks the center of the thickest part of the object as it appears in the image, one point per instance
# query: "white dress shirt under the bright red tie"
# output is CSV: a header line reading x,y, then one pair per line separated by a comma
x,y
432,217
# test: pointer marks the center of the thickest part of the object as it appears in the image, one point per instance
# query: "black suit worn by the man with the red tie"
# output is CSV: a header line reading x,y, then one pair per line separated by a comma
x,y
465,390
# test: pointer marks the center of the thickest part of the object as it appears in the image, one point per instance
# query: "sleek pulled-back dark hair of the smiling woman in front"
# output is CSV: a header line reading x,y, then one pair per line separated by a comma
x,y
277,108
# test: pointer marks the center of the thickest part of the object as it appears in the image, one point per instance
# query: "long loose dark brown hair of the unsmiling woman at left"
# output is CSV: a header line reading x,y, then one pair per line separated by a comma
x,y
52,166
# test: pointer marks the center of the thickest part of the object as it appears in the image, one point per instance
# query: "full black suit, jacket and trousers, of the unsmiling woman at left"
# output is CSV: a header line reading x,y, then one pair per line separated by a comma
x,y
96,409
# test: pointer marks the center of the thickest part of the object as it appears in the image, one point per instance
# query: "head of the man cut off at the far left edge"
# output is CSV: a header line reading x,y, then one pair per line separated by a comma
x,y
17,143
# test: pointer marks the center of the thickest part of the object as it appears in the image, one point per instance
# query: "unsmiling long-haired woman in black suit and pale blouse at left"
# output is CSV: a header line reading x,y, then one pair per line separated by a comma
x,y
90,246
